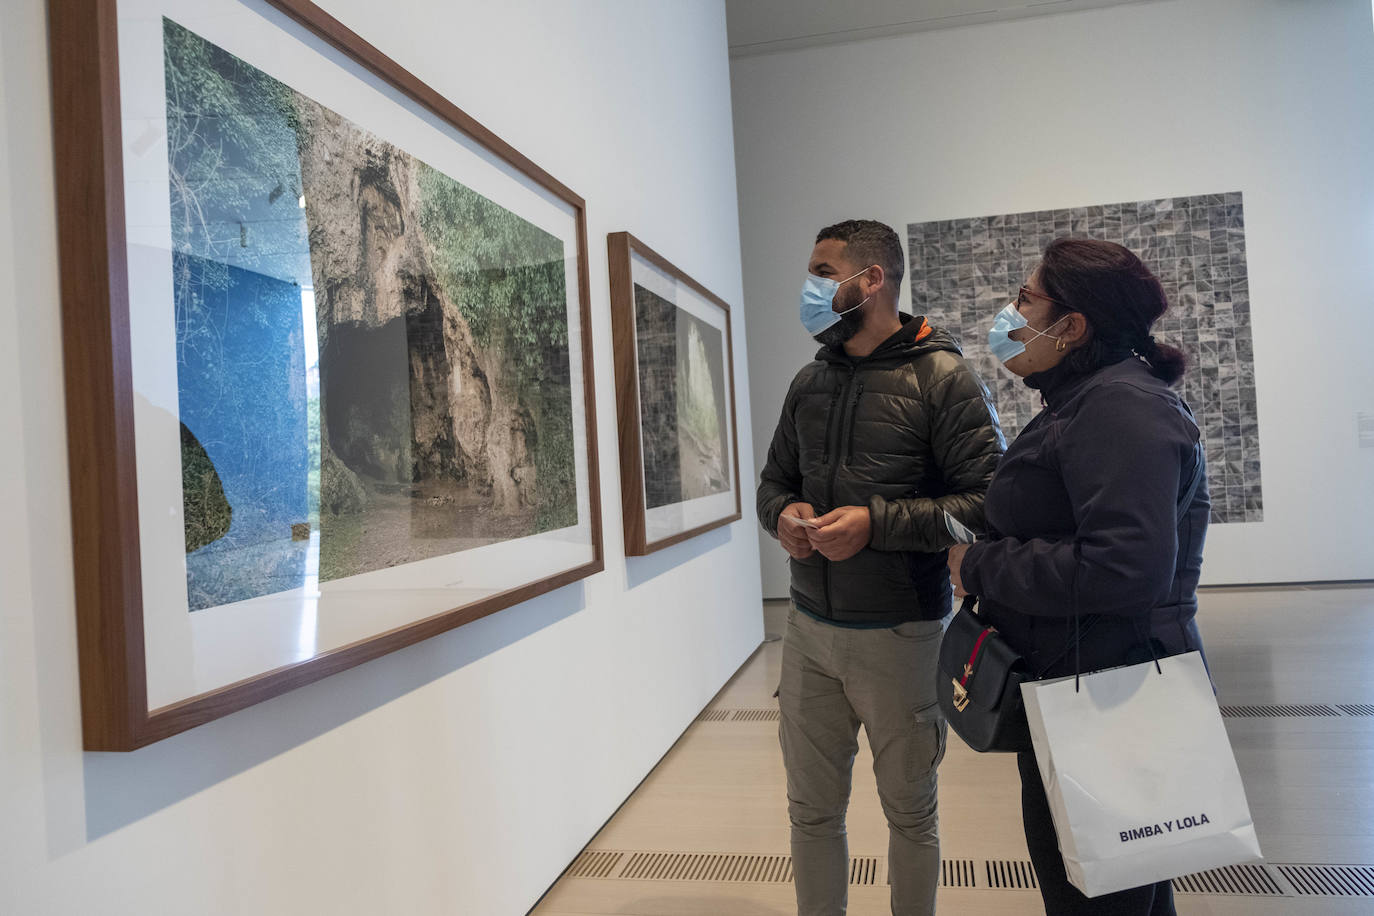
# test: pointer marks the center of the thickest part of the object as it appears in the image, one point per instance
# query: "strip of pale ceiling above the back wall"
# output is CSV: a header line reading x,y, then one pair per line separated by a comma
x,y
765,27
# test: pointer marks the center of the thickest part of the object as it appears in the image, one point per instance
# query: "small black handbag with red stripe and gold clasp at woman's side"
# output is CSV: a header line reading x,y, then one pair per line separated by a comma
x,y
980,685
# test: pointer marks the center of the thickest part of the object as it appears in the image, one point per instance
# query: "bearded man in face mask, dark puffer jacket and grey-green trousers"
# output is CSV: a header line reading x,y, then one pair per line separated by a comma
x,y
880,437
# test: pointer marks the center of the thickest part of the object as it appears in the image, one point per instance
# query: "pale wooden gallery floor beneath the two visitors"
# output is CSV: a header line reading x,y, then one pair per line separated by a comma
x,y
1310,779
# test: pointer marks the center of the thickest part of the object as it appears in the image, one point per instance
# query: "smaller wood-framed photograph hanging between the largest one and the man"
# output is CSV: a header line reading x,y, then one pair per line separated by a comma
x,y
675,393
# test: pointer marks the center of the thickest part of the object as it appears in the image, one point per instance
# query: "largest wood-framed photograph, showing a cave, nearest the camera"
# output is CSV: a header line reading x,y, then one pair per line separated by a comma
x,y
328,359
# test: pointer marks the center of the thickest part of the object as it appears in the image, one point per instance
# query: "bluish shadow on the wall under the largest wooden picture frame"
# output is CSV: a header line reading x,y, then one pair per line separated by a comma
x,y
124,789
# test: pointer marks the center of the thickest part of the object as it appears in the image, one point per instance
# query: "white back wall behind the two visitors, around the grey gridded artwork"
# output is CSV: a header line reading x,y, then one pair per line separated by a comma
x,y
1167,98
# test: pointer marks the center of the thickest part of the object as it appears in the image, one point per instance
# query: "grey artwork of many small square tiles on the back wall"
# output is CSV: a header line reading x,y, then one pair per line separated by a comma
x,y
965,271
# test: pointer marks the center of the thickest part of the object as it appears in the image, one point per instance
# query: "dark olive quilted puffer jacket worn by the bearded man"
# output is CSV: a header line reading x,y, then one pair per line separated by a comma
x,y
909,432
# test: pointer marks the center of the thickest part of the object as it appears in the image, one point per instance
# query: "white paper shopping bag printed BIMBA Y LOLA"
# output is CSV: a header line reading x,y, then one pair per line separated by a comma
x,y
1140,774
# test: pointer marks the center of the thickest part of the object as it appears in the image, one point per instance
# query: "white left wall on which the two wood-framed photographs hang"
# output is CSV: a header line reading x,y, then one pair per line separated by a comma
x,y
461,775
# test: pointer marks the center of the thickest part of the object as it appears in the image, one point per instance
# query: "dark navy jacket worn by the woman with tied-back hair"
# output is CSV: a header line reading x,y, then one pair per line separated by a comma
x,y
1086,507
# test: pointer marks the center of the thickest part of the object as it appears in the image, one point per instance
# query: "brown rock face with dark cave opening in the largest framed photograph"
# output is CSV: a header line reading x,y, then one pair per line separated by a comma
x,y
409,398
